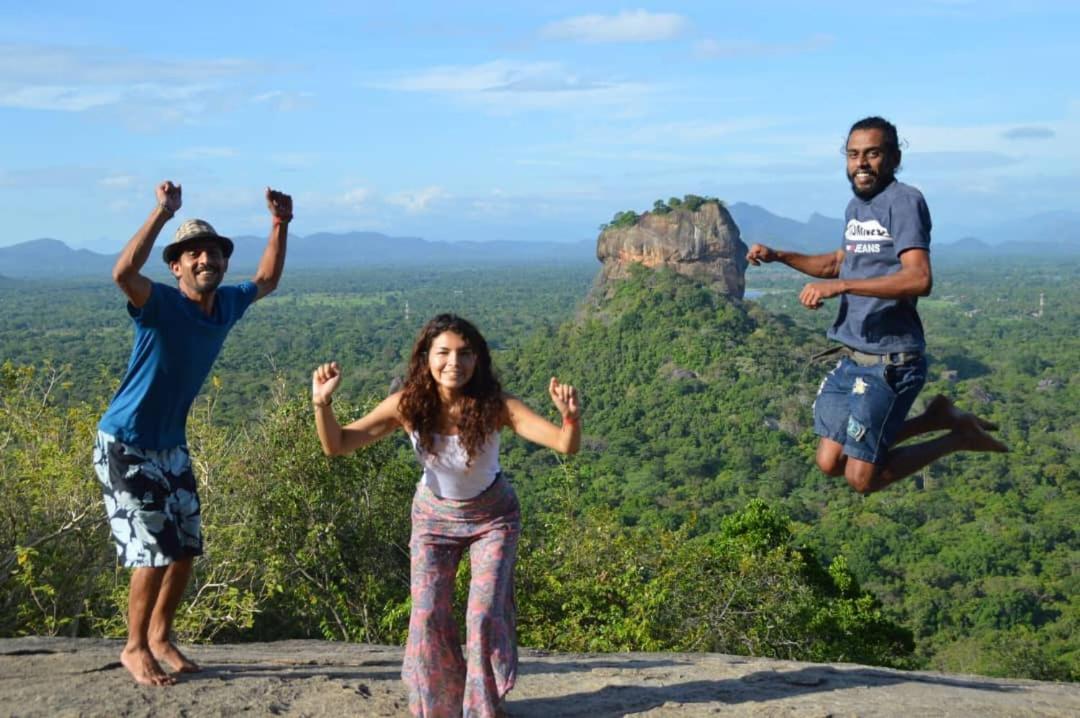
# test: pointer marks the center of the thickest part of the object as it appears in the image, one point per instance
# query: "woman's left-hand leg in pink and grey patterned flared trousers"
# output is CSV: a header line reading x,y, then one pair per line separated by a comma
x,y
435,670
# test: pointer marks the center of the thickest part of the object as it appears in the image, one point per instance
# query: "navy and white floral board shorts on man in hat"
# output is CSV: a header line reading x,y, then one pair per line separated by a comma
x,y
152,502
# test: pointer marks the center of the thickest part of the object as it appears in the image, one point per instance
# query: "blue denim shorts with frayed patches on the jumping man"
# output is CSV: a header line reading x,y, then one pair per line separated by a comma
x,y
863,408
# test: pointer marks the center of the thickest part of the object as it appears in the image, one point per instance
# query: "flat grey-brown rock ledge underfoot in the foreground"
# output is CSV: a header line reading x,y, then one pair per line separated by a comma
x,y
83,678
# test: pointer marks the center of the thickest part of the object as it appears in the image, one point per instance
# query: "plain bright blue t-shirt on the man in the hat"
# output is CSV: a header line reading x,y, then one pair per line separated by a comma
x,y
175,348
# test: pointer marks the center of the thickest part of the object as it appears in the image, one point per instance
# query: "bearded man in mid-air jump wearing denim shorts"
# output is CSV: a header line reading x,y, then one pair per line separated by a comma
x,y
881,272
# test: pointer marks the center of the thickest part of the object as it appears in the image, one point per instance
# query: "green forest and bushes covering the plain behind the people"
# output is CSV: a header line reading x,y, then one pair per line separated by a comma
x,y
698,419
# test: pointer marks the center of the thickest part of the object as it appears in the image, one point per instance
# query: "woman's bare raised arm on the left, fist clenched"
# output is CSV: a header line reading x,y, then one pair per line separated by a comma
x,y
336,440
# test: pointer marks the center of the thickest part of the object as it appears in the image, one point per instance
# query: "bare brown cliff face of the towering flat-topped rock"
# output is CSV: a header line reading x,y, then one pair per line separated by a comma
x,y
703,245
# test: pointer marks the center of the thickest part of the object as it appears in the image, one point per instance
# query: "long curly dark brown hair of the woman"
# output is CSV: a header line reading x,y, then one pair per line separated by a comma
x,y
483,408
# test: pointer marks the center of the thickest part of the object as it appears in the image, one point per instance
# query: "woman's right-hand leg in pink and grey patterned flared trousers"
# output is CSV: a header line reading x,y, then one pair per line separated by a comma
x,y
491,622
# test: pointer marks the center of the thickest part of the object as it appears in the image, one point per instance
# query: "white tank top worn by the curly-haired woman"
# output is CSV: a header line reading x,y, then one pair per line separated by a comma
x,y
447,475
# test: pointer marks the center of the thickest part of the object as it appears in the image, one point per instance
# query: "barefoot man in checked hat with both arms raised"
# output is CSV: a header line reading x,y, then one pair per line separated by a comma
x,y
141,456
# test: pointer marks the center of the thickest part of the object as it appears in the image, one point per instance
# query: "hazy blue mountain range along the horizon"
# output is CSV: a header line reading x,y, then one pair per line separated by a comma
x,y
1058,234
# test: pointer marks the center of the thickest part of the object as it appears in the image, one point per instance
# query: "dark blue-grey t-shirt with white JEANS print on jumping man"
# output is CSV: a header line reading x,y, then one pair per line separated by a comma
x,y
877,233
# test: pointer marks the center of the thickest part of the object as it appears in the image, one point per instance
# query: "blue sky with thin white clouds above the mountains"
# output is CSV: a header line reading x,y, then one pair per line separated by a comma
x,y
536,121
